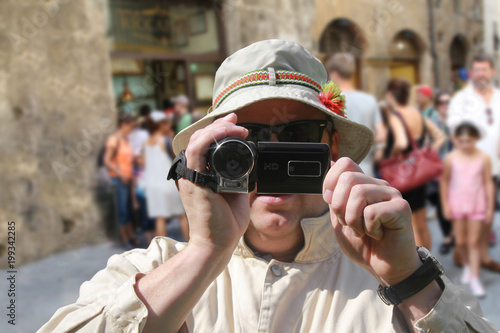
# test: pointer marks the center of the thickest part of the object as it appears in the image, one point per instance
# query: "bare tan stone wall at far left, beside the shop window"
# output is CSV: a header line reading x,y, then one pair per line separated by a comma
x,y
56,105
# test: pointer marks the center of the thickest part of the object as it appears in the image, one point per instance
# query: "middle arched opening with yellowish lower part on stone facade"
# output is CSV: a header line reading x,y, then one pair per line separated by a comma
x,y
405,51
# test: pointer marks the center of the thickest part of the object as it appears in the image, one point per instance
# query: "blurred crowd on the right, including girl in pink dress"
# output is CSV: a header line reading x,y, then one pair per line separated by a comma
x,y
464,129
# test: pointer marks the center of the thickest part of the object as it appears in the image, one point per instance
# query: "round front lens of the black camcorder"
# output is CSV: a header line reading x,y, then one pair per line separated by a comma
x,y
233,159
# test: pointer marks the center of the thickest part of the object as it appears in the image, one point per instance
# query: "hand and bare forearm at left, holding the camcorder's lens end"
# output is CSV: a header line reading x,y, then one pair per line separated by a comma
x,y
216,223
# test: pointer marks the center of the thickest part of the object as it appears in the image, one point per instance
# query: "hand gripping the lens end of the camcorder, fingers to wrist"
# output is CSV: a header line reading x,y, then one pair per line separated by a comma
x,y
216,221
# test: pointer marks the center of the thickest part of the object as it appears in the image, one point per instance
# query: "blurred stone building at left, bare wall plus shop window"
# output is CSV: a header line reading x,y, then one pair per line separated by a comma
x,y
67,67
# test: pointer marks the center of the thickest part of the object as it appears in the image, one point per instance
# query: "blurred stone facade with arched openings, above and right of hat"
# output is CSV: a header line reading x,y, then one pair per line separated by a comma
x,y
392,38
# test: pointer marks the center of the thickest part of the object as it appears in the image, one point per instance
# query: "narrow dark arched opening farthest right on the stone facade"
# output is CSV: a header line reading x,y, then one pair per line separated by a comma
x,y
458,62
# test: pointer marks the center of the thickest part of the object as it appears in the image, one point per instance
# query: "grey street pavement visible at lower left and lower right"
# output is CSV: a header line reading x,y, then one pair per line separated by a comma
x,y
46,285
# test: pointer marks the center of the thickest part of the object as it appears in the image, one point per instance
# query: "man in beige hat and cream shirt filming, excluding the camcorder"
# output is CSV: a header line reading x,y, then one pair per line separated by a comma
x,y
278,263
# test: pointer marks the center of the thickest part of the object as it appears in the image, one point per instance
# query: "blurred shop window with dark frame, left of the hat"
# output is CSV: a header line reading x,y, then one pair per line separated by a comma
x,y
162,49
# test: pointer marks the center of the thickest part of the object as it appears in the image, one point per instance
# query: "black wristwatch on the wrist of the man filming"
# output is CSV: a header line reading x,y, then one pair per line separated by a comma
x,y
421,278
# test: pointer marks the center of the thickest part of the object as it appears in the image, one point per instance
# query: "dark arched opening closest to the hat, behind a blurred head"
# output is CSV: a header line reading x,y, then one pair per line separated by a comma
x,y
342,35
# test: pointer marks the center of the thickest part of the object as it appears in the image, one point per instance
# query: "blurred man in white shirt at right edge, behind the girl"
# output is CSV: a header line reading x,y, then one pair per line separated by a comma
x,y
479,101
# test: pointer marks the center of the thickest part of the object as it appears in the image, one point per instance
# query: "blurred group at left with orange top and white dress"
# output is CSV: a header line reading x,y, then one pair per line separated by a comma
x,y
135,160
